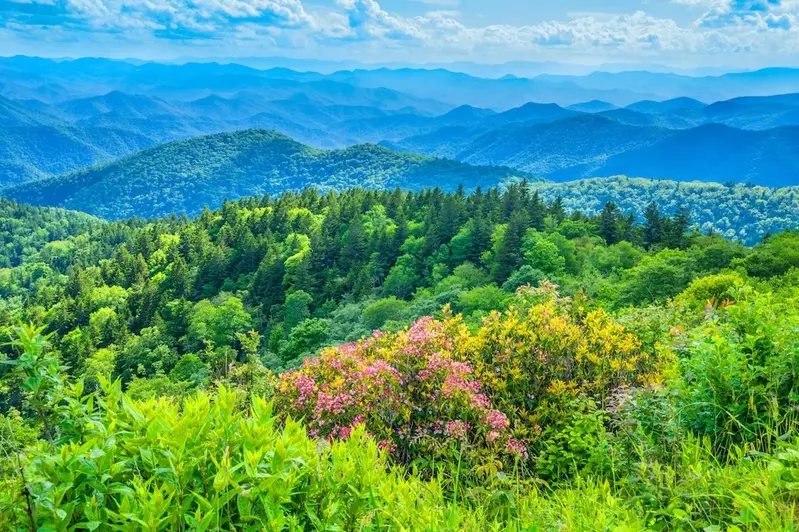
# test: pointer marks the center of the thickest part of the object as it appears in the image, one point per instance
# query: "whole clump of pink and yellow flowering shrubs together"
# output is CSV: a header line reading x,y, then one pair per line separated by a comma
x,y
437,388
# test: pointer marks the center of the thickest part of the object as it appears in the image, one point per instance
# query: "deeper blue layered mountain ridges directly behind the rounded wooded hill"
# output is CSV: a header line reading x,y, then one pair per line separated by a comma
x,y
39,139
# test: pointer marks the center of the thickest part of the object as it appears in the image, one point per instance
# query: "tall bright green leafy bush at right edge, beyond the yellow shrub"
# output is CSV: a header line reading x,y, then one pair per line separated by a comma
x,y
741,374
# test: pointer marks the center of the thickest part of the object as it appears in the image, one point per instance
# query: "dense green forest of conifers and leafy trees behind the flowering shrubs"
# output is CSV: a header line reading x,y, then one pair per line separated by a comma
x,y
309,268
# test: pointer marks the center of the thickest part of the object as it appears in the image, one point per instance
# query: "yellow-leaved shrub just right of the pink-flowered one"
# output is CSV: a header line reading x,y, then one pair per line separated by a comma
x,y
543,352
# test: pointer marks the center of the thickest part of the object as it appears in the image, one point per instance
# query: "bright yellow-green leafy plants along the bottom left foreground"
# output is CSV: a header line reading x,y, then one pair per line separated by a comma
x,y
208,464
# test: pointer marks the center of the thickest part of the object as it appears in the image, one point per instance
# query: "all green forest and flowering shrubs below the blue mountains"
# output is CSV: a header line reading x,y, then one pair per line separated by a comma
x,y
409,360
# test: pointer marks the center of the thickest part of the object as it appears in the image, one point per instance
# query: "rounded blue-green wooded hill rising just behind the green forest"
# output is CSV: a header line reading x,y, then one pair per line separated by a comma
x,y
185,176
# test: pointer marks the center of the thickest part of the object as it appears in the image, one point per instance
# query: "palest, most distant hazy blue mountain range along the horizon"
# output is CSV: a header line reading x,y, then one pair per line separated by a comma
x,y
57,80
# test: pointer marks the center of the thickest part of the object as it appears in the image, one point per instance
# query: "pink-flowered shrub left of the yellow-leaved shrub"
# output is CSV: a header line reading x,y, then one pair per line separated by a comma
x,y
406,388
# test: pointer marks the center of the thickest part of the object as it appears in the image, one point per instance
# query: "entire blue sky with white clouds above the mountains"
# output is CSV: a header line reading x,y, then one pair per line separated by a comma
x,y
688,33
